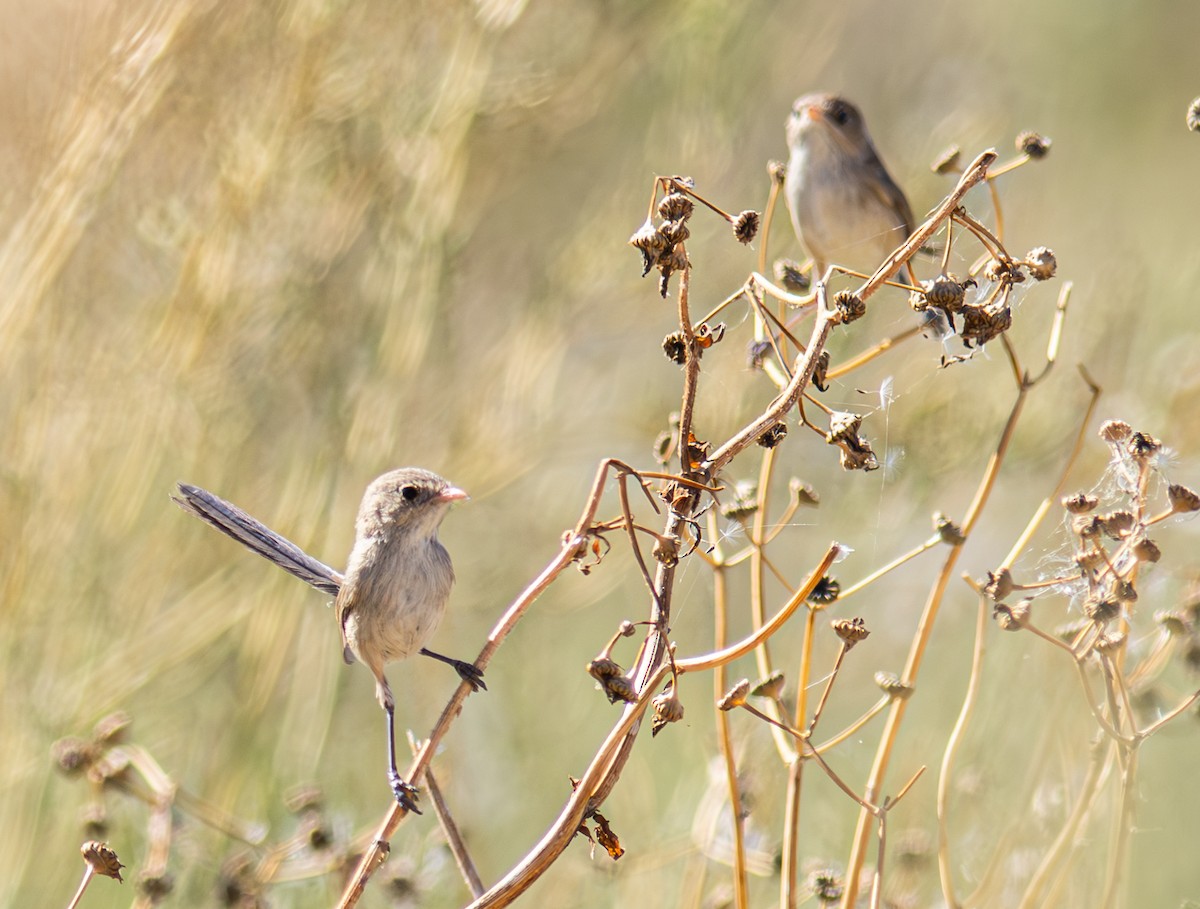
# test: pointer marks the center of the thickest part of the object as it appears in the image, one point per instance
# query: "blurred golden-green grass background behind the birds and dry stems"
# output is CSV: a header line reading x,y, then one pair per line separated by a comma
x,y
279,249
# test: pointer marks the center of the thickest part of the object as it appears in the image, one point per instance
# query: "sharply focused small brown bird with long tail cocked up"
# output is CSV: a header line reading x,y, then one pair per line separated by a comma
x,y
397,583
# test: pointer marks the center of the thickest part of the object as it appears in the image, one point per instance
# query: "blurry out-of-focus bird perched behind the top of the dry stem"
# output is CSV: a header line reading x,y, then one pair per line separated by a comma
x,y
845,207
